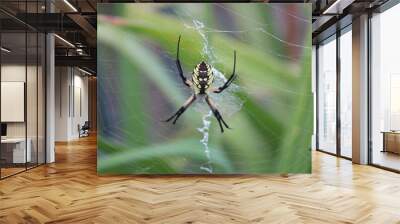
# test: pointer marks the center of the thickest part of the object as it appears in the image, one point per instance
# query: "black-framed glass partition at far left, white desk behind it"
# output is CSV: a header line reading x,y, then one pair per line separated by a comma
x,y
22,77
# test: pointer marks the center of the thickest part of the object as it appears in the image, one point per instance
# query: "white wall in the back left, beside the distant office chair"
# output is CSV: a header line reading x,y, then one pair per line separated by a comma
x,y
71,93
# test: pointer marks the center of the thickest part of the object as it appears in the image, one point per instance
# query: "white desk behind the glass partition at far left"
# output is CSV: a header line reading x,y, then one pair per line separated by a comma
x,y
18,145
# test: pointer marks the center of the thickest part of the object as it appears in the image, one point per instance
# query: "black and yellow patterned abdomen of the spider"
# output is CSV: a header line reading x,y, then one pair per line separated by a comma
x,y
202,77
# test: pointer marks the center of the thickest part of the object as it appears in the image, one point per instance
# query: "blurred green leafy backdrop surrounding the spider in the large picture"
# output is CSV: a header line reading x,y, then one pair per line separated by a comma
x,y
269,107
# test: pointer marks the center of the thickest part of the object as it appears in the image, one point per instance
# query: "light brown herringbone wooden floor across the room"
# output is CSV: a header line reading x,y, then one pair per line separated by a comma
x,y
70,191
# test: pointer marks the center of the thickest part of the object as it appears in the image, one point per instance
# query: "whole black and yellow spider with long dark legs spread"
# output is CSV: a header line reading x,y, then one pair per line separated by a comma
x,y
202,78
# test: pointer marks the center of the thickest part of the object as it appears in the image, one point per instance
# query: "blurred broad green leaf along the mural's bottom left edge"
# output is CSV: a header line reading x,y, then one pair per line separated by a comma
x,y
160,158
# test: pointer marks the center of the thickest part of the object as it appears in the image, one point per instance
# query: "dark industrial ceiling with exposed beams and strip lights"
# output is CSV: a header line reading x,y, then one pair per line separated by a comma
x,y
75,22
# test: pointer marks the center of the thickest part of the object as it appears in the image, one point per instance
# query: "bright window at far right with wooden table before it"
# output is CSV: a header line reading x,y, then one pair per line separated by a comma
x,y
385,89
